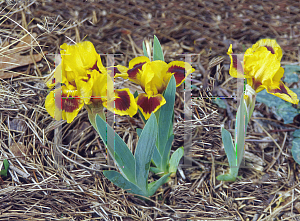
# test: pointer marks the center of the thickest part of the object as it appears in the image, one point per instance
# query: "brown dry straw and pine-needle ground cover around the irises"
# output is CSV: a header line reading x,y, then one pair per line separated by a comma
x,y
38,188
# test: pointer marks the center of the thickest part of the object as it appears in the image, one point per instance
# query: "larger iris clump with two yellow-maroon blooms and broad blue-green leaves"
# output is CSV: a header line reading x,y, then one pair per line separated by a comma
x,y
83,81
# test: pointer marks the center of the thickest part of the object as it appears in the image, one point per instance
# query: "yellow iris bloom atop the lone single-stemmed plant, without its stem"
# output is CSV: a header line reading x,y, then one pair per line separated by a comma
x,y
261,67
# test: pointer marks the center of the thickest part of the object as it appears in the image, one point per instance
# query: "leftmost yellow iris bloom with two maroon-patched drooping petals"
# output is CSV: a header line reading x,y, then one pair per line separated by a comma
x,y
84,81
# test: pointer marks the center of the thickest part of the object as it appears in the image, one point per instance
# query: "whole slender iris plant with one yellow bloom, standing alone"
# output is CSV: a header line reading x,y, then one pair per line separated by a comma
x,y
261,68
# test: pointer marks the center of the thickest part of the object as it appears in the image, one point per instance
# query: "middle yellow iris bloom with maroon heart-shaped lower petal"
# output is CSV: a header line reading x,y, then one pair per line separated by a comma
x,y
153,77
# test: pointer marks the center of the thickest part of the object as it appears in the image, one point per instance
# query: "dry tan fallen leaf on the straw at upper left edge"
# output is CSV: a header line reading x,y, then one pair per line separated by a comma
x,y
12,58
